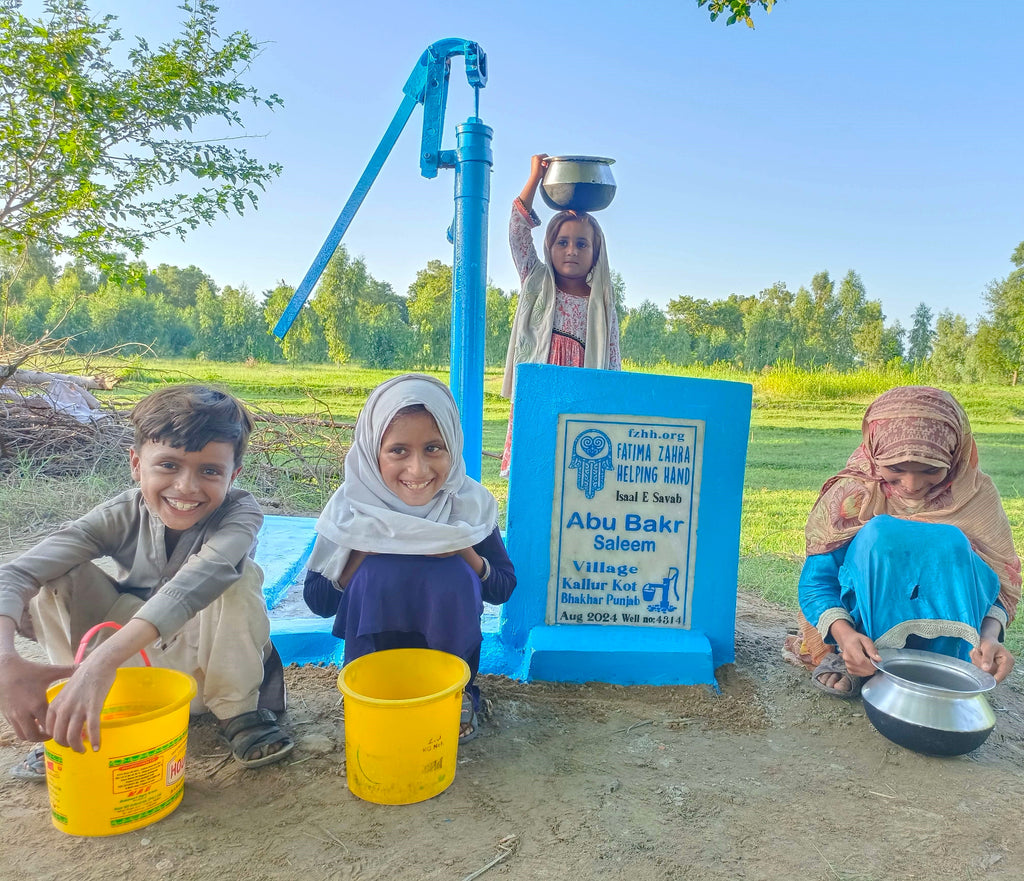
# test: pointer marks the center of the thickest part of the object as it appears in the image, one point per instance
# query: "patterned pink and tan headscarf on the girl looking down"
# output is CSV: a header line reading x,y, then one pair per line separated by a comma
x,y
916,424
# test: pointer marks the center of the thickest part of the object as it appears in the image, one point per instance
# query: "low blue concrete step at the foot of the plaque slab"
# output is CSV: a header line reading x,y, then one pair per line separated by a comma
x,y
623,656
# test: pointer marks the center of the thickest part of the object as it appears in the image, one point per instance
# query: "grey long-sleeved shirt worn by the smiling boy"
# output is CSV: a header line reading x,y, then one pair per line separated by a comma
x,y
207,560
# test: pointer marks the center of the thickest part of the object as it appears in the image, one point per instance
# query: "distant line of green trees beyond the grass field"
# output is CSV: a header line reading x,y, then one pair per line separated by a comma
x,y
355,318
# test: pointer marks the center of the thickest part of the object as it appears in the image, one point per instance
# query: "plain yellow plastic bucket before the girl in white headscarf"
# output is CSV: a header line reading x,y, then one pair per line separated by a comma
x,y
402,724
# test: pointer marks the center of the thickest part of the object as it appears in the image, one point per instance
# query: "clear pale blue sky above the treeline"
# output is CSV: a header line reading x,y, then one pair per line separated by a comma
x,y
881,137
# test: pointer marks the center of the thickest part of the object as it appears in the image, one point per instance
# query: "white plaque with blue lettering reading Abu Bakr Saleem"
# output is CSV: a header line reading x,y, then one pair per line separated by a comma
x,y
624,520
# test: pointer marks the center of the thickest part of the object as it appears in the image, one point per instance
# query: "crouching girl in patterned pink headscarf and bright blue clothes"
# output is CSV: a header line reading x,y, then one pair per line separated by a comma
x,y
909,547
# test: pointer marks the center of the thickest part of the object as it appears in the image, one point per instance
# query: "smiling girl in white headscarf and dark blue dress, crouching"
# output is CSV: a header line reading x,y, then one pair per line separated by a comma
x,y
408,549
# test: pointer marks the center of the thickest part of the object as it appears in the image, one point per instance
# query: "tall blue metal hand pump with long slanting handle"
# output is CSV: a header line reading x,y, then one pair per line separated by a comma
x,y
472,160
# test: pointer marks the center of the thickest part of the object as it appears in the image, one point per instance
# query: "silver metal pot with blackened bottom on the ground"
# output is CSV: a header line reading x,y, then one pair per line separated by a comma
x,y
930,703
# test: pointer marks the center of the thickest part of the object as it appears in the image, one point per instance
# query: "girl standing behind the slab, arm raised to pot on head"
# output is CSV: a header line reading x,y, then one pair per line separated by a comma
x,y
567,310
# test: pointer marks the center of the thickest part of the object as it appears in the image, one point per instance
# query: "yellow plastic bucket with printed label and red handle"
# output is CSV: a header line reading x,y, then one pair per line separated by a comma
x,y
139,774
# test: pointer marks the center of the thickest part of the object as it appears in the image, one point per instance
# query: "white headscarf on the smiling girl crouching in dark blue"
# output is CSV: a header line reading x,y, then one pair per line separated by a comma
x,y
364,515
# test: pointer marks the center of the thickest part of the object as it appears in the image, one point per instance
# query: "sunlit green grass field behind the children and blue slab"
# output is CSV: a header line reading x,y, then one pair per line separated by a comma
x,y
804,427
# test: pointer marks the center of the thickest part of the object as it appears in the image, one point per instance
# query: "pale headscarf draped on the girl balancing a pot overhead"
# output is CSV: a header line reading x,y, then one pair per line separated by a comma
x,y
535,314
